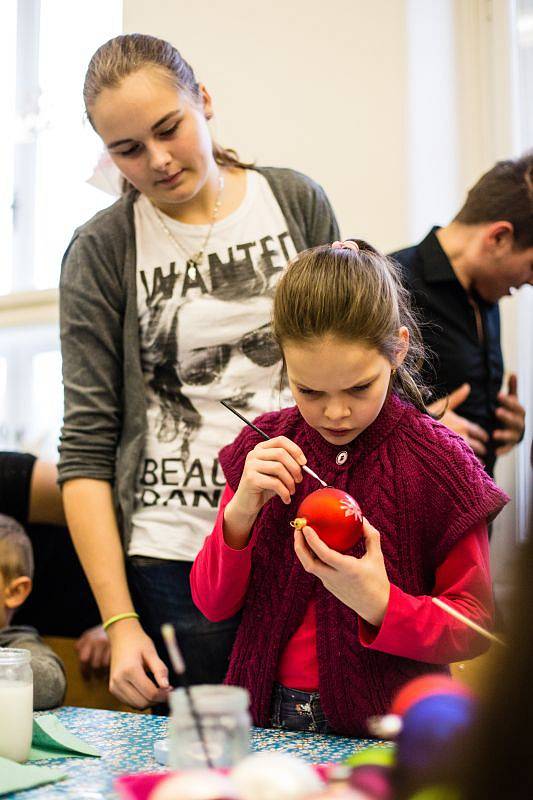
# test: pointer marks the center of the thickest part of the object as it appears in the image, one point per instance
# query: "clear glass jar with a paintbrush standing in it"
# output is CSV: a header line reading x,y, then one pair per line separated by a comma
x,y
224,721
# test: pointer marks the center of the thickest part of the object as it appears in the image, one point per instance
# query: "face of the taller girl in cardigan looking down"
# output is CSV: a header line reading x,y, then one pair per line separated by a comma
x,y
157,136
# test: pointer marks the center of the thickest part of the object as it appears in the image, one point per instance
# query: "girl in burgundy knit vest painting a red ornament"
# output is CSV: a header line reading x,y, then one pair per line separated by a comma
x,y
326,638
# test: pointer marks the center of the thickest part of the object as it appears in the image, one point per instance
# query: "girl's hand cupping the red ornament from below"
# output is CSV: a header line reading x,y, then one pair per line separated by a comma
x,y
360,583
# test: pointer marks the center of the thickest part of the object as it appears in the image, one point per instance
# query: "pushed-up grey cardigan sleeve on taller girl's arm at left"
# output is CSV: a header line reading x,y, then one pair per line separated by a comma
x,y
91,315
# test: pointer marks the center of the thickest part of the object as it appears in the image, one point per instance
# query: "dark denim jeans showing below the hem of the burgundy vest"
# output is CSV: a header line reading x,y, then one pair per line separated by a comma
x,y
297,711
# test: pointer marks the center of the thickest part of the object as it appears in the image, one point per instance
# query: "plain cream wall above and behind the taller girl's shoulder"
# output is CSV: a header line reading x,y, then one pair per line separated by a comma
x,y
316,86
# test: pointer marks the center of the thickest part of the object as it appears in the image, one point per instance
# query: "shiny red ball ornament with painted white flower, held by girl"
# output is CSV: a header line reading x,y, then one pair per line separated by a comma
x,y
334,515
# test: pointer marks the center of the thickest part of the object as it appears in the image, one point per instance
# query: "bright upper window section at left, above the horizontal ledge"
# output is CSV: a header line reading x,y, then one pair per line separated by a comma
x,y
49,150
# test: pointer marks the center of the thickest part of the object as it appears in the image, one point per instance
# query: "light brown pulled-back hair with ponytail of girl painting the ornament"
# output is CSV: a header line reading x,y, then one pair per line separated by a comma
x,y
355,295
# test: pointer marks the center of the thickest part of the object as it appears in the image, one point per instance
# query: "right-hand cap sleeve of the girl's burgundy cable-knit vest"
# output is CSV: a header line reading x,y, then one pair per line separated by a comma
x,y
449,485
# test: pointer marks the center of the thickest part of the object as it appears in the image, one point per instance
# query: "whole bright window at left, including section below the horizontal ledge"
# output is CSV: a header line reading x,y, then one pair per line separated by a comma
x,y
47,153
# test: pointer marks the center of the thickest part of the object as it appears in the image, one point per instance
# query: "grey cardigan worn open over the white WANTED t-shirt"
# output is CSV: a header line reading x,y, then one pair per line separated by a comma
x,y
105,406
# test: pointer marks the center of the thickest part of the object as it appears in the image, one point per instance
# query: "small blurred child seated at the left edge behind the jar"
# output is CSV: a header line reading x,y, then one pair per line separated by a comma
x,y
16,571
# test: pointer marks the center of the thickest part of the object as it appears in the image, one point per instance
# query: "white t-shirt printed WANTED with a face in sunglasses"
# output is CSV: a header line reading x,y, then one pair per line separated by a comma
x,y
205,337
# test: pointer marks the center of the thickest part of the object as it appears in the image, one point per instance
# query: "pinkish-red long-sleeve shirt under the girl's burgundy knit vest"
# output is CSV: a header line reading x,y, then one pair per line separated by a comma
x,y
413,627
